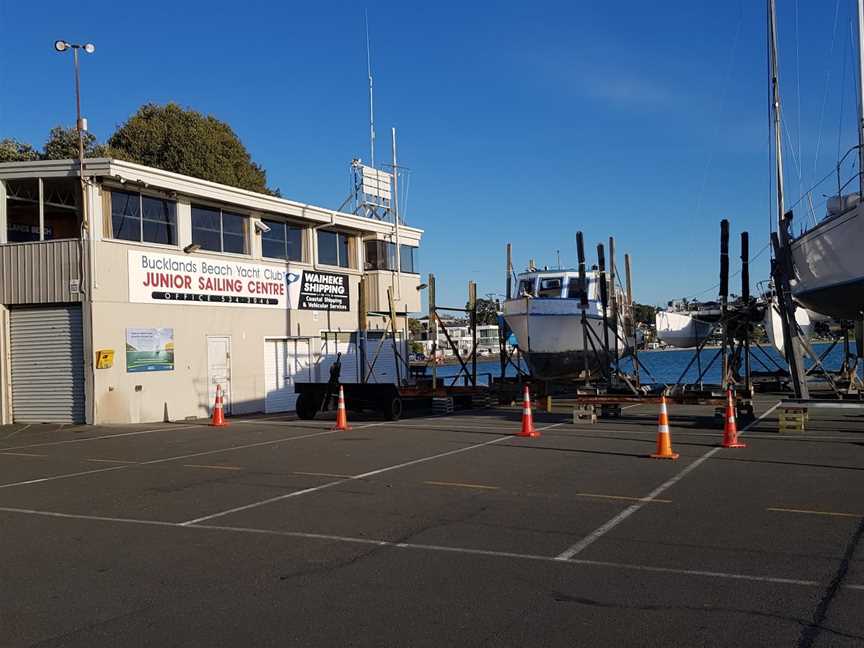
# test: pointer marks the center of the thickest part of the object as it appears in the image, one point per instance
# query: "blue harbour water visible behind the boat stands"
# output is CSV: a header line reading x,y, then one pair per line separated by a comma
x,y
667,366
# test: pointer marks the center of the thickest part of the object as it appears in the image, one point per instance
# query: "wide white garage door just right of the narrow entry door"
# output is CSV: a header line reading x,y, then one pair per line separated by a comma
x,y
286,362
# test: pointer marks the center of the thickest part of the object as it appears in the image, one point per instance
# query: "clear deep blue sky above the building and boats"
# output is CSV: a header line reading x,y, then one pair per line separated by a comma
x,y
520,122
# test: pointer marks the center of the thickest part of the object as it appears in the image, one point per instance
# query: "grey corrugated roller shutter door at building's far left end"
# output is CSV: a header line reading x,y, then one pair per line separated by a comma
x,y
47,364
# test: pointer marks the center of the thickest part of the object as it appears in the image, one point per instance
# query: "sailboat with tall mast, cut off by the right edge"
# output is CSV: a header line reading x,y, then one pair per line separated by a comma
x,y
827,257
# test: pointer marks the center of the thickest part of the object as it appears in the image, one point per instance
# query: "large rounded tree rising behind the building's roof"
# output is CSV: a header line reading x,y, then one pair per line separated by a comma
x,y
185,141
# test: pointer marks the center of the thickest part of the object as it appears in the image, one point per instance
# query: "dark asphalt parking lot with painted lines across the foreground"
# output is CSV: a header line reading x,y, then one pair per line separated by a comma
x,y
433,531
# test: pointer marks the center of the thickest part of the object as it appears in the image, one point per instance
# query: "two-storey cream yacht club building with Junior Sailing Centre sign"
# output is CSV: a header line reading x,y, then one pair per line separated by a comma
x,y
132,304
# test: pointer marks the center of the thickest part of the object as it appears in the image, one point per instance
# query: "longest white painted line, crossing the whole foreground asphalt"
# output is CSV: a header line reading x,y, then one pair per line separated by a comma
x,y
700,573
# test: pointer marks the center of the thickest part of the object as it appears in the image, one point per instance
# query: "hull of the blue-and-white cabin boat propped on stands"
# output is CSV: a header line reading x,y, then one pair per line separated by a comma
x,y
550,336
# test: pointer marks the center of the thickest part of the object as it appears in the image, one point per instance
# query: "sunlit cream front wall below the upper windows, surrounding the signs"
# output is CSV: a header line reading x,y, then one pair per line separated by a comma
x,y
121,396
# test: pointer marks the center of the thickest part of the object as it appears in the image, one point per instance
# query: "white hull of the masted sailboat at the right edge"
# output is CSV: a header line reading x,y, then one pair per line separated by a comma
x,y
829,266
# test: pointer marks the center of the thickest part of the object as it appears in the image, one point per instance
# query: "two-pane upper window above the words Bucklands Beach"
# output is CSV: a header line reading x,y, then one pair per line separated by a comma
x,y
136,217
